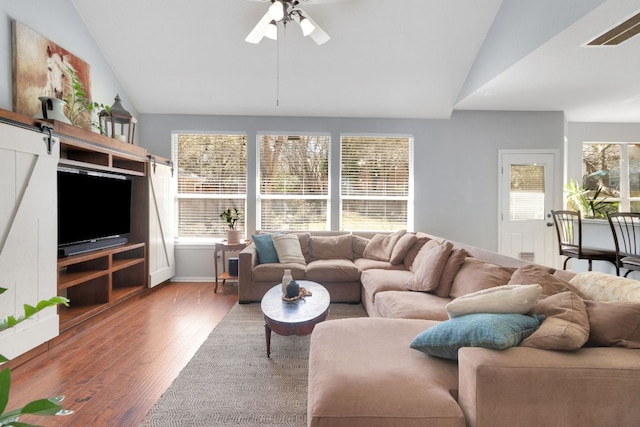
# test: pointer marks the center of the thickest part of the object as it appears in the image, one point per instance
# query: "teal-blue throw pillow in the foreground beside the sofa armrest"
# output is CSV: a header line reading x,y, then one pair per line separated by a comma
x,y
488,330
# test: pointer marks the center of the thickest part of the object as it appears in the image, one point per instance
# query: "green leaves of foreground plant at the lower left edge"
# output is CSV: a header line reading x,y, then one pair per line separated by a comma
x,y
42,407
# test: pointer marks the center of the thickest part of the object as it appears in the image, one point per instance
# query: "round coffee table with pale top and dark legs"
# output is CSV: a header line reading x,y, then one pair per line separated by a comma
x,y
294,318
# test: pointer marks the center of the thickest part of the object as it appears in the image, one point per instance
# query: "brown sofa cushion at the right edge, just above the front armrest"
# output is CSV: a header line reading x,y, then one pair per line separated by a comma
x,y
614,324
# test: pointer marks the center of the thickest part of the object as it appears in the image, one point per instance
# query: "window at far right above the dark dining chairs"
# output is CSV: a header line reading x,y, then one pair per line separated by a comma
x,y
611,173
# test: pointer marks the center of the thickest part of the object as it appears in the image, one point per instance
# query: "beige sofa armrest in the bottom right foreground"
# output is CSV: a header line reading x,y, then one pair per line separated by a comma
x,y
532,387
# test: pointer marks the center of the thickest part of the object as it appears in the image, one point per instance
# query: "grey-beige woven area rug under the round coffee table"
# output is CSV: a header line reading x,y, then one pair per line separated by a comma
x,y
231,382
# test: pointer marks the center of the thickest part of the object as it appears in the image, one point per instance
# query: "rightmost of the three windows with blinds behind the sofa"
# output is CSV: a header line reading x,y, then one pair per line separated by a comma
x,y
376,187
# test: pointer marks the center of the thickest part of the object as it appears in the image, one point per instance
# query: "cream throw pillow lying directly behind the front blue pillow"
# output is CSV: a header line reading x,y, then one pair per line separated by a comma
x,y
514,299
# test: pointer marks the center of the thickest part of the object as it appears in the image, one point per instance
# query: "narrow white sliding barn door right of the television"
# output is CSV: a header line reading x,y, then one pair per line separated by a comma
x,y
162,264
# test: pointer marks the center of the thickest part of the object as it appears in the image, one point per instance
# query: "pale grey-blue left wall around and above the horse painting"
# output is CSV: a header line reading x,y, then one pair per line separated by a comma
x,y
58,21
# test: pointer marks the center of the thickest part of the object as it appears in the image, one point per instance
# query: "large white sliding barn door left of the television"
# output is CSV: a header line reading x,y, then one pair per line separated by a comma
x,y
28,236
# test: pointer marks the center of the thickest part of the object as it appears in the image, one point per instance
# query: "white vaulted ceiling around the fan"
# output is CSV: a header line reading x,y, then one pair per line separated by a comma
x,y
385,59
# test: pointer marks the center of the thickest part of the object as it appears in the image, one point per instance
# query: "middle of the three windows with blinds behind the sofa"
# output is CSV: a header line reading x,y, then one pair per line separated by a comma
x,y
294,182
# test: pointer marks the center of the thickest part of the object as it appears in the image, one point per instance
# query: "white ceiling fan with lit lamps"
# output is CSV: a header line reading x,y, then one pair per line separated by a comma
x,y
286,11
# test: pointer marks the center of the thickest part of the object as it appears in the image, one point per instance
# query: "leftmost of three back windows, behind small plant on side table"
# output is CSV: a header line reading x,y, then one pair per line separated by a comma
x,y
212,176
